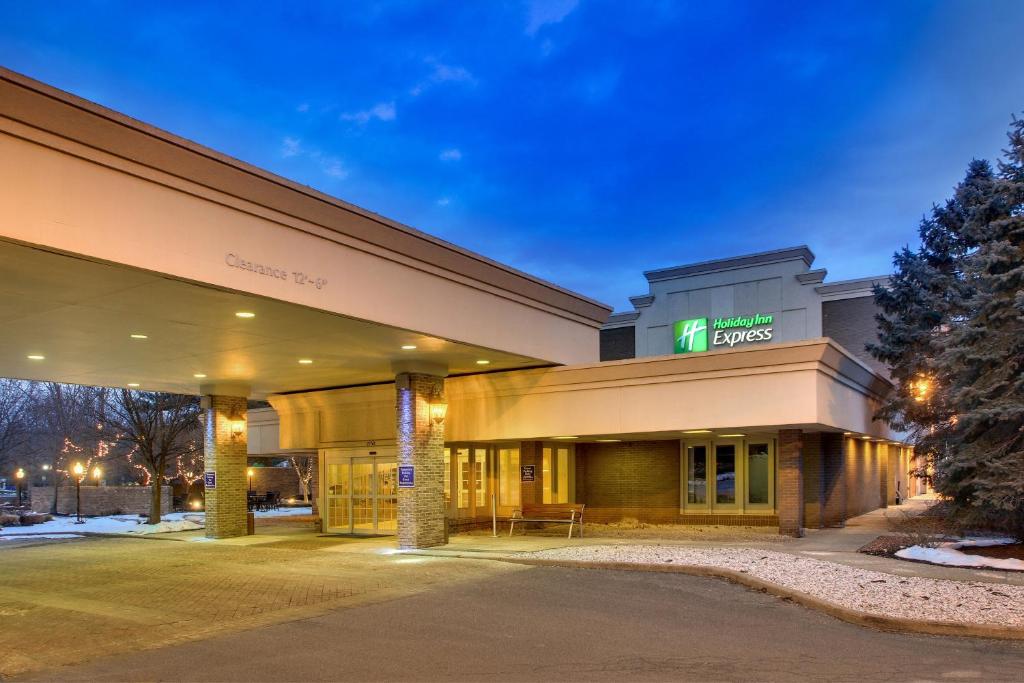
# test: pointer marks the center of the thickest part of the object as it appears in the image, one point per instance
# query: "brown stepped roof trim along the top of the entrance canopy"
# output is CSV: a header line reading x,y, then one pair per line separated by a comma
x,y
57,112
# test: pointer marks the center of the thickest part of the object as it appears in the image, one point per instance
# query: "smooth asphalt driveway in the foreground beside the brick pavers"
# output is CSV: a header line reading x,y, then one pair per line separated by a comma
x,y
548,624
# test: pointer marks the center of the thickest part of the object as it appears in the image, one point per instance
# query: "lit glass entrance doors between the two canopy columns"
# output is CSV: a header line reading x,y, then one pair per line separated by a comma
x,y
362,492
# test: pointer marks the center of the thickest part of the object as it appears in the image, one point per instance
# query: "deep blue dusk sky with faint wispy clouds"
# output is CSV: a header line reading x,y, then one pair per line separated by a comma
x,y
583,142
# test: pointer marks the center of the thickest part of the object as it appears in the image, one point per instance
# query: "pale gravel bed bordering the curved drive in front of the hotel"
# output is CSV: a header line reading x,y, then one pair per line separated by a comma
x,y
871,592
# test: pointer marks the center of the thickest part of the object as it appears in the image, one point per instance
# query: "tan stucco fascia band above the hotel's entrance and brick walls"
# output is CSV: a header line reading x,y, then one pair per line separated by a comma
x,y
793,386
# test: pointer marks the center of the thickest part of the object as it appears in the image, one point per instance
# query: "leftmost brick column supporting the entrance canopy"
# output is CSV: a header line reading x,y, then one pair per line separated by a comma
x,y
226,456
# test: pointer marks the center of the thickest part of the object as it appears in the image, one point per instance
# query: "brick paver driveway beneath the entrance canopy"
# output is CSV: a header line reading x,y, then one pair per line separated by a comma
x,y
69,603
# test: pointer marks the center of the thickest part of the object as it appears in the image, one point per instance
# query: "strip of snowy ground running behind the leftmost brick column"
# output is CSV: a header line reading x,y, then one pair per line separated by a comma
x,y
131,525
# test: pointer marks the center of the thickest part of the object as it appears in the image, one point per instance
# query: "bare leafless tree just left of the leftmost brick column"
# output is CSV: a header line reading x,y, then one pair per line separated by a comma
x,y
158,426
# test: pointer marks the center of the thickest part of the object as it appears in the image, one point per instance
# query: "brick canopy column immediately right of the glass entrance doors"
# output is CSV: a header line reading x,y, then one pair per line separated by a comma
x,y
421,445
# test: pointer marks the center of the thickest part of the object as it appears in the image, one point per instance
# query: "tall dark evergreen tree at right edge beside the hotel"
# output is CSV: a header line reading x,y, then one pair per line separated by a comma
x,y
951,329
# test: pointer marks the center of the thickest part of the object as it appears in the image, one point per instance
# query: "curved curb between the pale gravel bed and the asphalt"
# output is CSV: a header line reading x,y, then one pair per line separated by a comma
x,y
897,624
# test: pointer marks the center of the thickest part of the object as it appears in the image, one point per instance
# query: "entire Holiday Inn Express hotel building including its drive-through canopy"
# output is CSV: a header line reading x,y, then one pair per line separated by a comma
x,y
438,388
